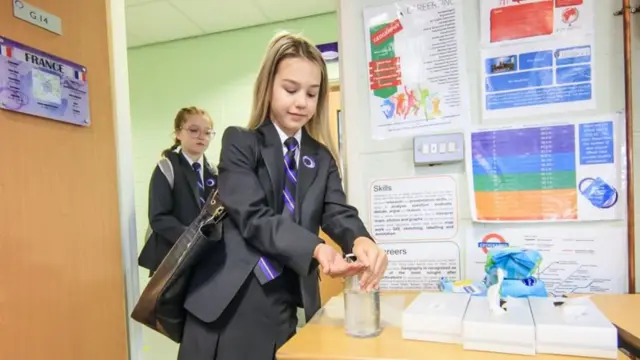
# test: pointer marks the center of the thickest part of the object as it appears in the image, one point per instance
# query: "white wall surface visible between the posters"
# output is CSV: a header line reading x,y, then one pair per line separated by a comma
x,y
367,159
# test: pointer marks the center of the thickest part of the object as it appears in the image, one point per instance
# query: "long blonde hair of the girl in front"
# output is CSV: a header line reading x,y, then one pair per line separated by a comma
x,y
283,46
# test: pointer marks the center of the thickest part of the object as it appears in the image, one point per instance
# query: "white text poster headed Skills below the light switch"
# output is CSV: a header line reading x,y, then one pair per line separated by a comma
x,y
414,209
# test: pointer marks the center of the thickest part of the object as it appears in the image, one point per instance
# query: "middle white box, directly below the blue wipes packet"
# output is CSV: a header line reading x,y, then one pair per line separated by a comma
x,y
512,332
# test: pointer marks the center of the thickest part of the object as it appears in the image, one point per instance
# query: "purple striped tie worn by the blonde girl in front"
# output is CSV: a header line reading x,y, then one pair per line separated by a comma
x,y
264,270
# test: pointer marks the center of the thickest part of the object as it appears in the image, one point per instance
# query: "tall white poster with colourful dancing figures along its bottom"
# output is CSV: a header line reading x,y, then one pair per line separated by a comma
x,y
417,72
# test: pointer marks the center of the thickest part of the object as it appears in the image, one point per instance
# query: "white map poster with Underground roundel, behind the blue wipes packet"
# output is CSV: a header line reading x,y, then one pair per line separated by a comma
x,y
575,259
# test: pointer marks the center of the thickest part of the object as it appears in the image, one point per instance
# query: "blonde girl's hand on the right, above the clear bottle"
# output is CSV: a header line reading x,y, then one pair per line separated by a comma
x,y
374,258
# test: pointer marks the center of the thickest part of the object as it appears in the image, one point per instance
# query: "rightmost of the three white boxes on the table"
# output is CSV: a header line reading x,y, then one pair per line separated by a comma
x,y
576,328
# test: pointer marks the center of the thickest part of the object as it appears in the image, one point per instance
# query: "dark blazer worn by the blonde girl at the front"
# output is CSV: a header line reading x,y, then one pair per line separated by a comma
x,y
250,187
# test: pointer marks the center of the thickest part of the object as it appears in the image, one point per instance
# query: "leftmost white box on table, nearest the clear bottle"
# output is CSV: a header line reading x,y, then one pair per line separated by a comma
x,y
435,317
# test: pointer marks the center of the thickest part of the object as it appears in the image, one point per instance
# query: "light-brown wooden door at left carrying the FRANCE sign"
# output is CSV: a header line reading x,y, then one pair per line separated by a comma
x,y
62,279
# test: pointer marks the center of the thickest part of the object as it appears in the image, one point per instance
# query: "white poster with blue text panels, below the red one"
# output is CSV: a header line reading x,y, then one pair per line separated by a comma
x,y
538,78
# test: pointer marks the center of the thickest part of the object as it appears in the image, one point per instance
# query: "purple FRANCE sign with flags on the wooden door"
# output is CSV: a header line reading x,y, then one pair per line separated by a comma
x,y
36,83
